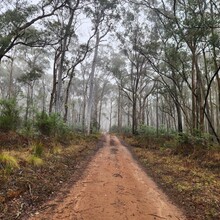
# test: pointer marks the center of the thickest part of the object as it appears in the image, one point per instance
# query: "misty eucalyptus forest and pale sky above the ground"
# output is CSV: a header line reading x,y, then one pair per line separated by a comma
x,y
98,65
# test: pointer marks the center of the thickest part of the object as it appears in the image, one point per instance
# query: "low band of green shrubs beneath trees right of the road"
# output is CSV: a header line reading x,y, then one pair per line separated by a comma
x,y
179,143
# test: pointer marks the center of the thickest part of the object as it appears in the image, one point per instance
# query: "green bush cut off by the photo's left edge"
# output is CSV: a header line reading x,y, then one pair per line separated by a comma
x,y
9,115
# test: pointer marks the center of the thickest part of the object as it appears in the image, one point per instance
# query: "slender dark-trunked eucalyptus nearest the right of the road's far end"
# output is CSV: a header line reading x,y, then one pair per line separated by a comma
x,y
137,78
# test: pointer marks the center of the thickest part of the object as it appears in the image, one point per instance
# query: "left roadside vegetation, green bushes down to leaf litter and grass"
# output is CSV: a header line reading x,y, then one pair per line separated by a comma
x,y
37,158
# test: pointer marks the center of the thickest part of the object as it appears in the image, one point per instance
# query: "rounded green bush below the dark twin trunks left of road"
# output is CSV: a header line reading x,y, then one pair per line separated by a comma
x,y
51,125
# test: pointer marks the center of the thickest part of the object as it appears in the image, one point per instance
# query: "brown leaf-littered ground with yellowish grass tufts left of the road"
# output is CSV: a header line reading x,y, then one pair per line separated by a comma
x,y
38,178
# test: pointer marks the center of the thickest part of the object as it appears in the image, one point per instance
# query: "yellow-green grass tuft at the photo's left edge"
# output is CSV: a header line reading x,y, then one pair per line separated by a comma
x,y
8,162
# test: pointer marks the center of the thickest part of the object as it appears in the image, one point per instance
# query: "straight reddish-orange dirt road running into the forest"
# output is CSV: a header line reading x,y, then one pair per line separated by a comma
x,y
114,187
